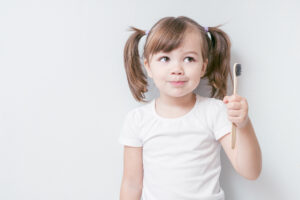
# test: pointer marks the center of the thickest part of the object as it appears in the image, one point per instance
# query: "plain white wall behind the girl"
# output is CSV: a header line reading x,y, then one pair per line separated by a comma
x,y
64,93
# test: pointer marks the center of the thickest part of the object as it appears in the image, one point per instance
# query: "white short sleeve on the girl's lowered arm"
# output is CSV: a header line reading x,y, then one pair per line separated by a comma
x,y
129,134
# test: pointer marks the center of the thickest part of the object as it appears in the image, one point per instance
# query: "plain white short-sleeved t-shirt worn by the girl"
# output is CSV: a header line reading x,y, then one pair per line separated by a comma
x,y
181,156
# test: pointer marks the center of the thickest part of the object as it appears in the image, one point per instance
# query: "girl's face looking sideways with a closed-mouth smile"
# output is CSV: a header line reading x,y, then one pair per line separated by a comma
x,y
178,65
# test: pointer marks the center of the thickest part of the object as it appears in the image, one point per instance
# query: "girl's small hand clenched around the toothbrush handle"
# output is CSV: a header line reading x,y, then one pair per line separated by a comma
x,y
237,109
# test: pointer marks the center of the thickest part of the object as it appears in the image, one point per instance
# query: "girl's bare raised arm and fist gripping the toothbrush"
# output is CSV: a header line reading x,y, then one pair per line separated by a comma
x,y
246,158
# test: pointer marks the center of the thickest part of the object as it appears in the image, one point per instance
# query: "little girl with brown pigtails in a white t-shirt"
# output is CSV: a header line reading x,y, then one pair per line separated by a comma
x,y
172,143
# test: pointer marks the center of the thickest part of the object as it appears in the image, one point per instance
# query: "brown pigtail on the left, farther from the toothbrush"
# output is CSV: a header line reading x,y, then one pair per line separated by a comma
x,y
135,76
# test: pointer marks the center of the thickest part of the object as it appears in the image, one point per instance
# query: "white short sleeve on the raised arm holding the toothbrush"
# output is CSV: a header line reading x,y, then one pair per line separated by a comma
x,y
221,124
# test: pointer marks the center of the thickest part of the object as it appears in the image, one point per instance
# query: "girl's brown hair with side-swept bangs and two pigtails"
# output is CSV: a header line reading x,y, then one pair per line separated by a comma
x,y
166,35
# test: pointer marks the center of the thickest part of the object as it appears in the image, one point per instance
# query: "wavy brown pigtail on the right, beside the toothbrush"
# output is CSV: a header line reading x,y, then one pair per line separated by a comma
x,y
218,62
